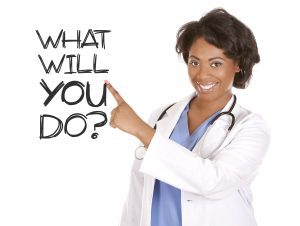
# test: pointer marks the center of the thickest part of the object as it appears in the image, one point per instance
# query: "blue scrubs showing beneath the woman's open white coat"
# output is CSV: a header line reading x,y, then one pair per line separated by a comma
x,y
166,202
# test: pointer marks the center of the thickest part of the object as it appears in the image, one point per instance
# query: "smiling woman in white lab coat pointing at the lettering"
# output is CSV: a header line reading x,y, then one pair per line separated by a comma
x,y
206,150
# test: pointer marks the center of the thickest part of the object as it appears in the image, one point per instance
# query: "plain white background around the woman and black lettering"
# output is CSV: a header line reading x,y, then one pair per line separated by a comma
x,y
80,181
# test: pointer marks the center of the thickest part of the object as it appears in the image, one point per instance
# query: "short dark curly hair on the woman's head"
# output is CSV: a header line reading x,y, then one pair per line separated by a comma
x,y
226,32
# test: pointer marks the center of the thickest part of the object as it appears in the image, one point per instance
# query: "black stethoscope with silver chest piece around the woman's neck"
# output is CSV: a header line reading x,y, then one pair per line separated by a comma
x,y
140,150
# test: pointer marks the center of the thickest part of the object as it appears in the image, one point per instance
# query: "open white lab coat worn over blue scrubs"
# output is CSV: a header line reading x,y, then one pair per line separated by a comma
x,y
214,177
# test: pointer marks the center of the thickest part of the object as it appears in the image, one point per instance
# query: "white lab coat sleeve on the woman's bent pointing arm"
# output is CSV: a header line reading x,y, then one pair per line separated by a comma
x,y
234,166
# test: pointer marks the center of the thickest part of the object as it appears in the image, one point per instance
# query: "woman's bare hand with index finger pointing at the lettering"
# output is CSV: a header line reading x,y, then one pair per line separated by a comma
x,y
125,118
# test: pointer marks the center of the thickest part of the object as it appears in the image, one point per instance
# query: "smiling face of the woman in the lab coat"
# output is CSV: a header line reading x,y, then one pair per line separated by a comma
x,y
210,71
